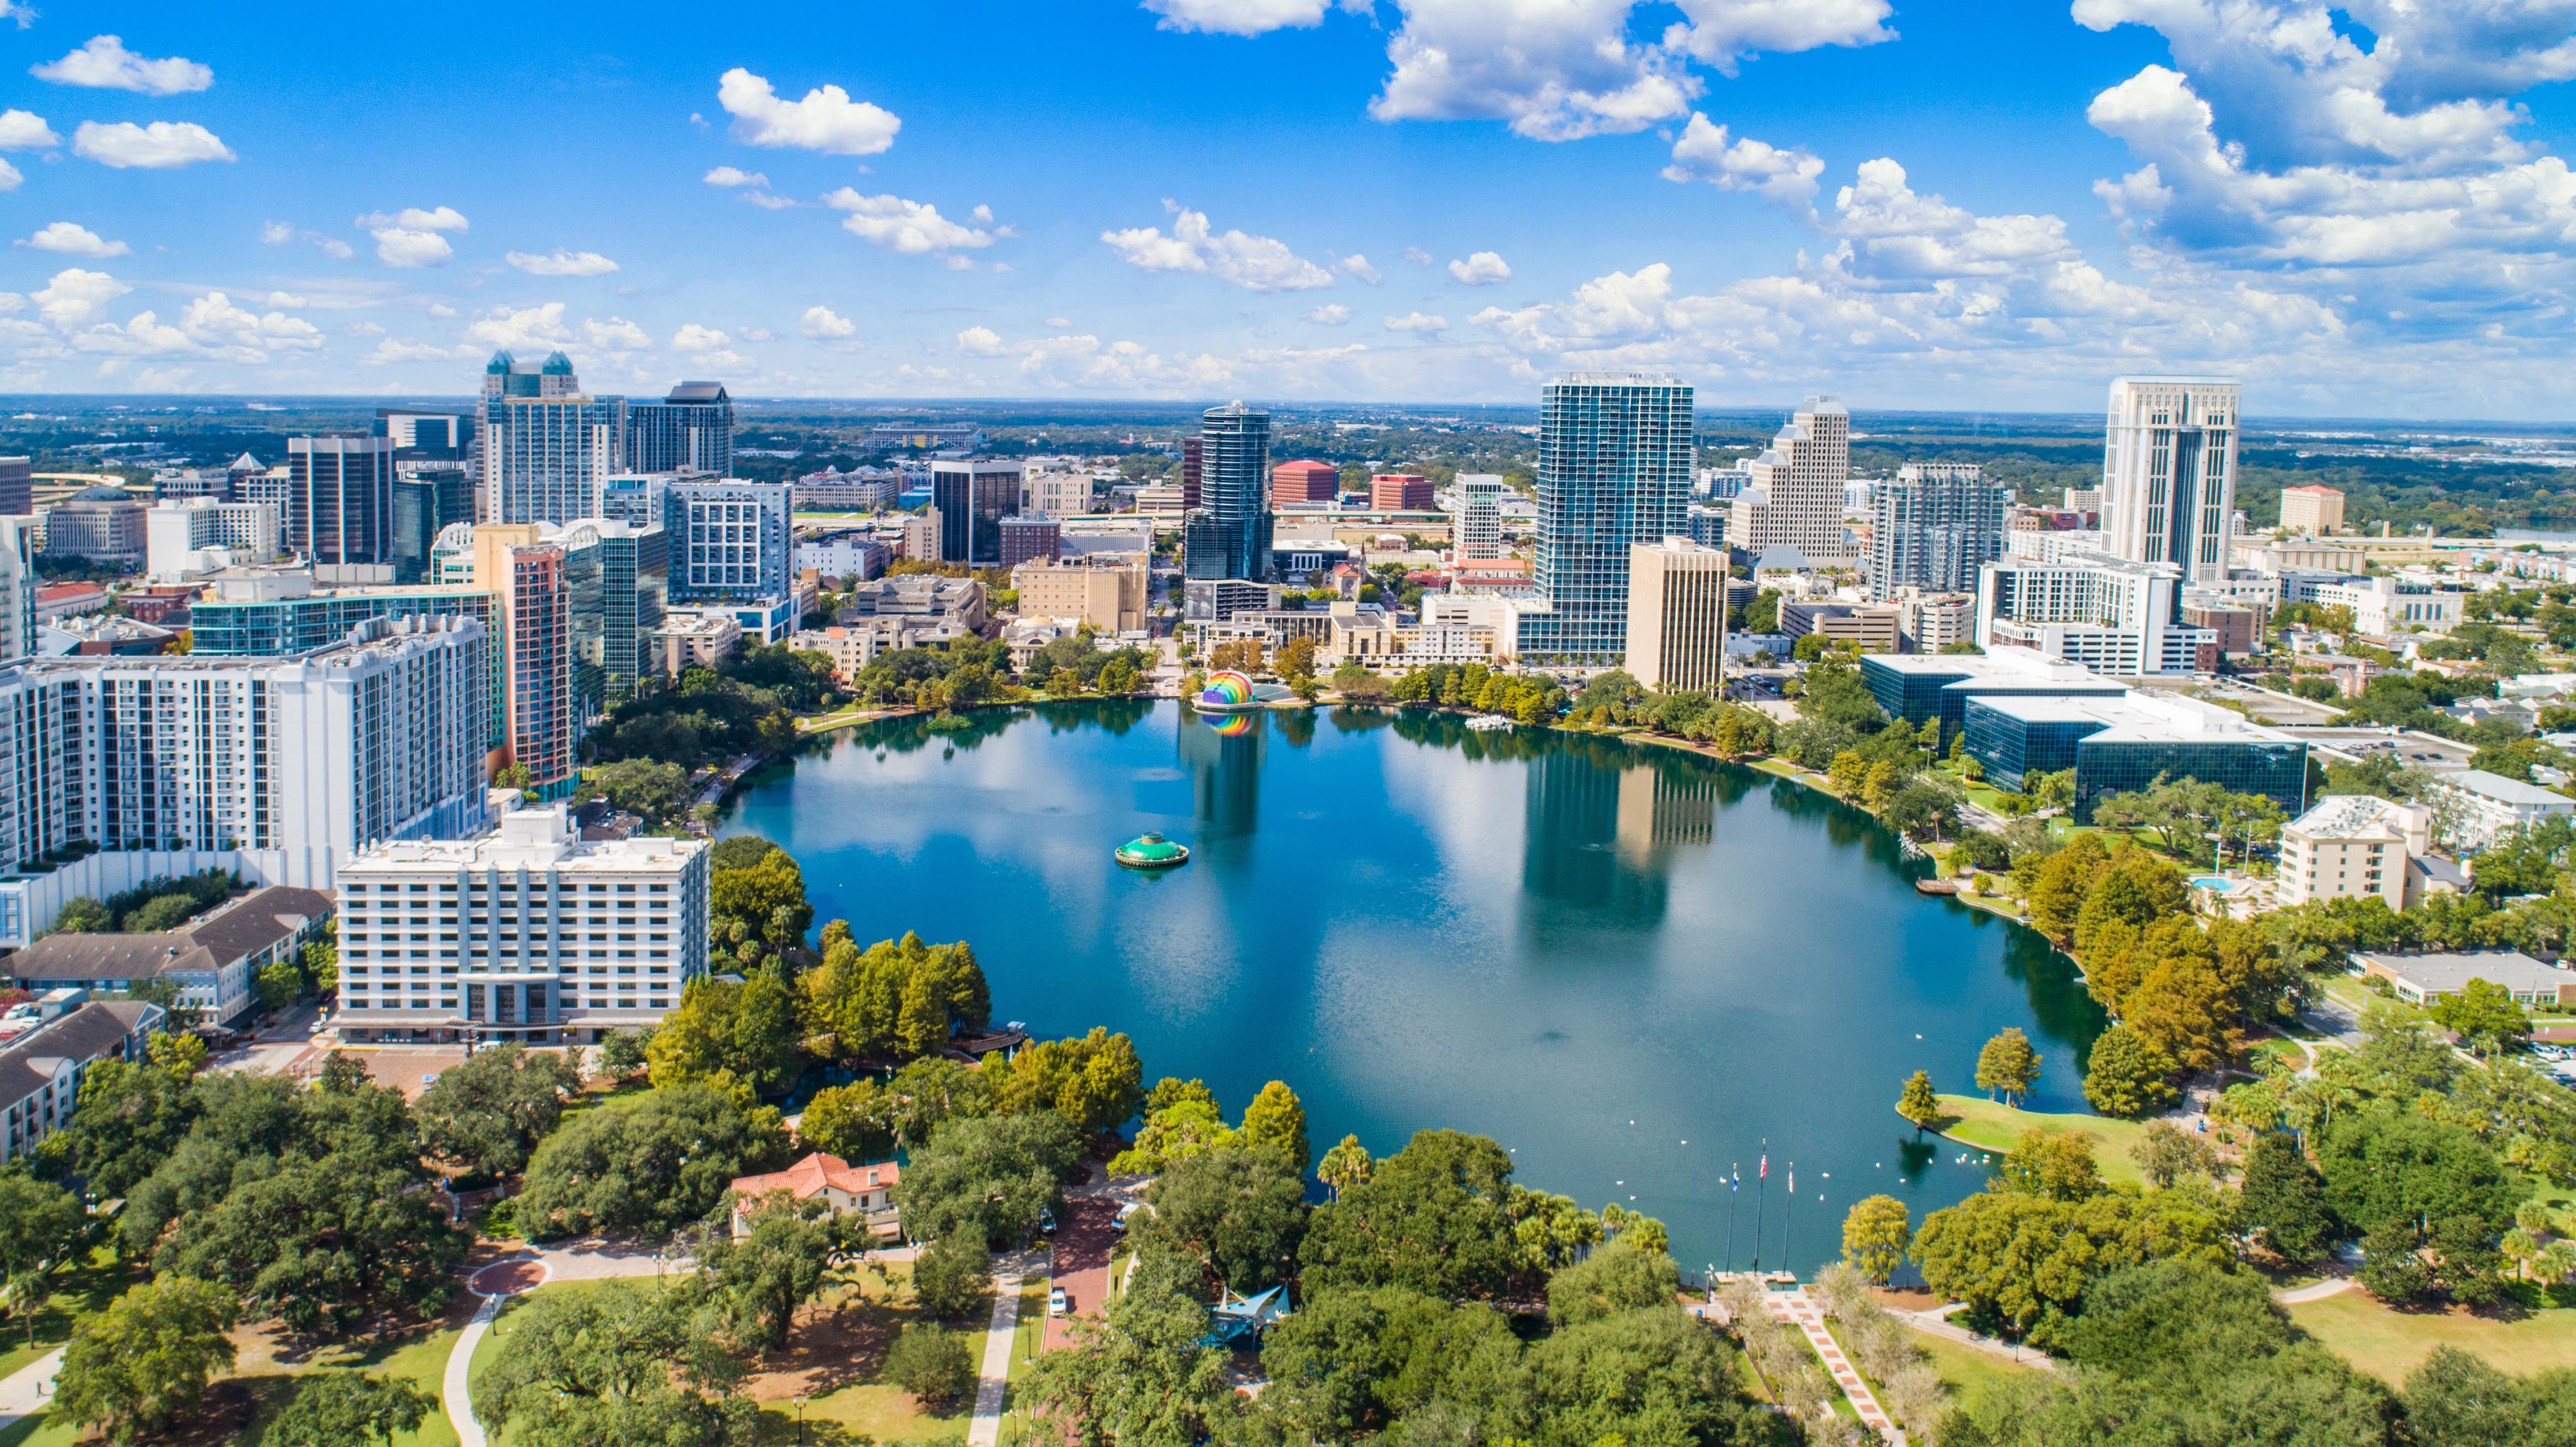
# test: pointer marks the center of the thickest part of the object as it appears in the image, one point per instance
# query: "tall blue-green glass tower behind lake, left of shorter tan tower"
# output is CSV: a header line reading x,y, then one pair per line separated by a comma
x,y
1614,470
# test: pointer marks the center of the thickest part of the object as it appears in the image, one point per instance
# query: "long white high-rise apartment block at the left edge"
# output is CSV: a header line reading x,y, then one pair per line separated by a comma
x,y
300,761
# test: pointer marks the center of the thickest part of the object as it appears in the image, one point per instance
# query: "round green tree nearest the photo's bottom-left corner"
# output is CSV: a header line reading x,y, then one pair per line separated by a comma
x,y
146,1363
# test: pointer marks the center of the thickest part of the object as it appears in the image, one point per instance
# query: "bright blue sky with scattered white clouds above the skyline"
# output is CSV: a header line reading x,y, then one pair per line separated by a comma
x,y
1993,207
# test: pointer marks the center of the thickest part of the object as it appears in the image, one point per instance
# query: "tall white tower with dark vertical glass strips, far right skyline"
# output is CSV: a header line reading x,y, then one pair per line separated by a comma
x,y
2170,472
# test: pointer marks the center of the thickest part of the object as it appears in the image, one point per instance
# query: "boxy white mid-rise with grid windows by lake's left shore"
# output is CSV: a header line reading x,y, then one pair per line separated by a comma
x,y
527,933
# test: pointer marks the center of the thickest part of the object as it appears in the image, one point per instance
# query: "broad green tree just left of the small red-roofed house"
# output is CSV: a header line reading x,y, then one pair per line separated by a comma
x,y
653,1162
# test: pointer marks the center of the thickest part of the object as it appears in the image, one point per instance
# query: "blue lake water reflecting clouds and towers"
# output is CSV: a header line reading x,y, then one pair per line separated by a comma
x,y
1634,967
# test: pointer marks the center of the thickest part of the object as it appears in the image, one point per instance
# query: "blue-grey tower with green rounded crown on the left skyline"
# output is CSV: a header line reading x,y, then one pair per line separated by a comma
x,y
547,449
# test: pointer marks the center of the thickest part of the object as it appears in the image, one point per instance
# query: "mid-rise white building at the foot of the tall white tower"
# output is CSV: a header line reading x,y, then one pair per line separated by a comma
x,y
2114,617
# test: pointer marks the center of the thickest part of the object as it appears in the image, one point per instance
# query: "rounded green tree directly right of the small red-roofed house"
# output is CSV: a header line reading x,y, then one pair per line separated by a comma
x,y
988,1178
